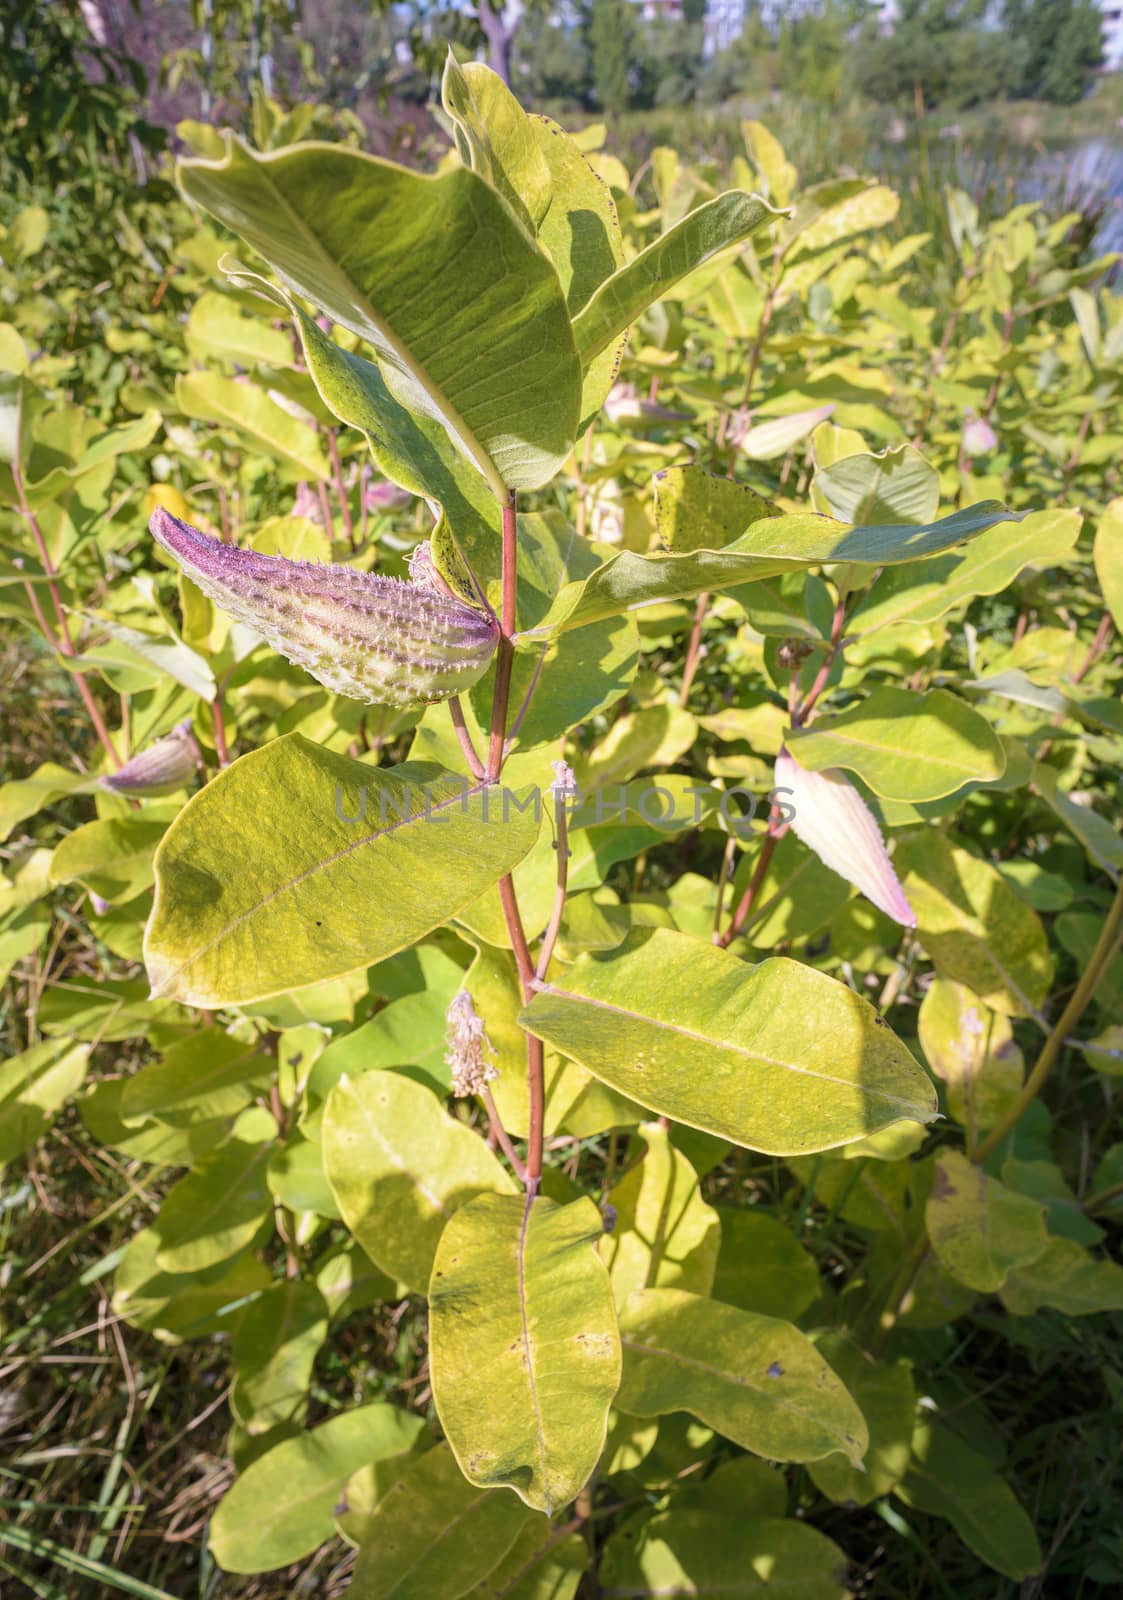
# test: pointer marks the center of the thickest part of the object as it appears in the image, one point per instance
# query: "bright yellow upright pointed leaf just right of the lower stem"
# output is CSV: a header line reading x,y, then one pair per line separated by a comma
x,y
665,1236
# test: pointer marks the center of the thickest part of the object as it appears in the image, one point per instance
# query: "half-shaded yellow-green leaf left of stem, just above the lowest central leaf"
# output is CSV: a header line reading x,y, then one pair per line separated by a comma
x,y
399,1167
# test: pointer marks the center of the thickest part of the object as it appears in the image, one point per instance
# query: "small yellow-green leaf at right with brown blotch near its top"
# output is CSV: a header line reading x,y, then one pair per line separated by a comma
x,y
980,1228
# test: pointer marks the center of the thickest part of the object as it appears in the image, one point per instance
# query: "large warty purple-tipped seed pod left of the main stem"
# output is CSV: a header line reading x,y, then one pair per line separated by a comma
x,y
369,638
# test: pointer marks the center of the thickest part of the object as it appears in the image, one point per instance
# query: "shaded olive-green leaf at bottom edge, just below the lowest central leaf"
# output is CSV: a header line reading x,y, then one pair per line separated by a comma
x,y
434,1535
